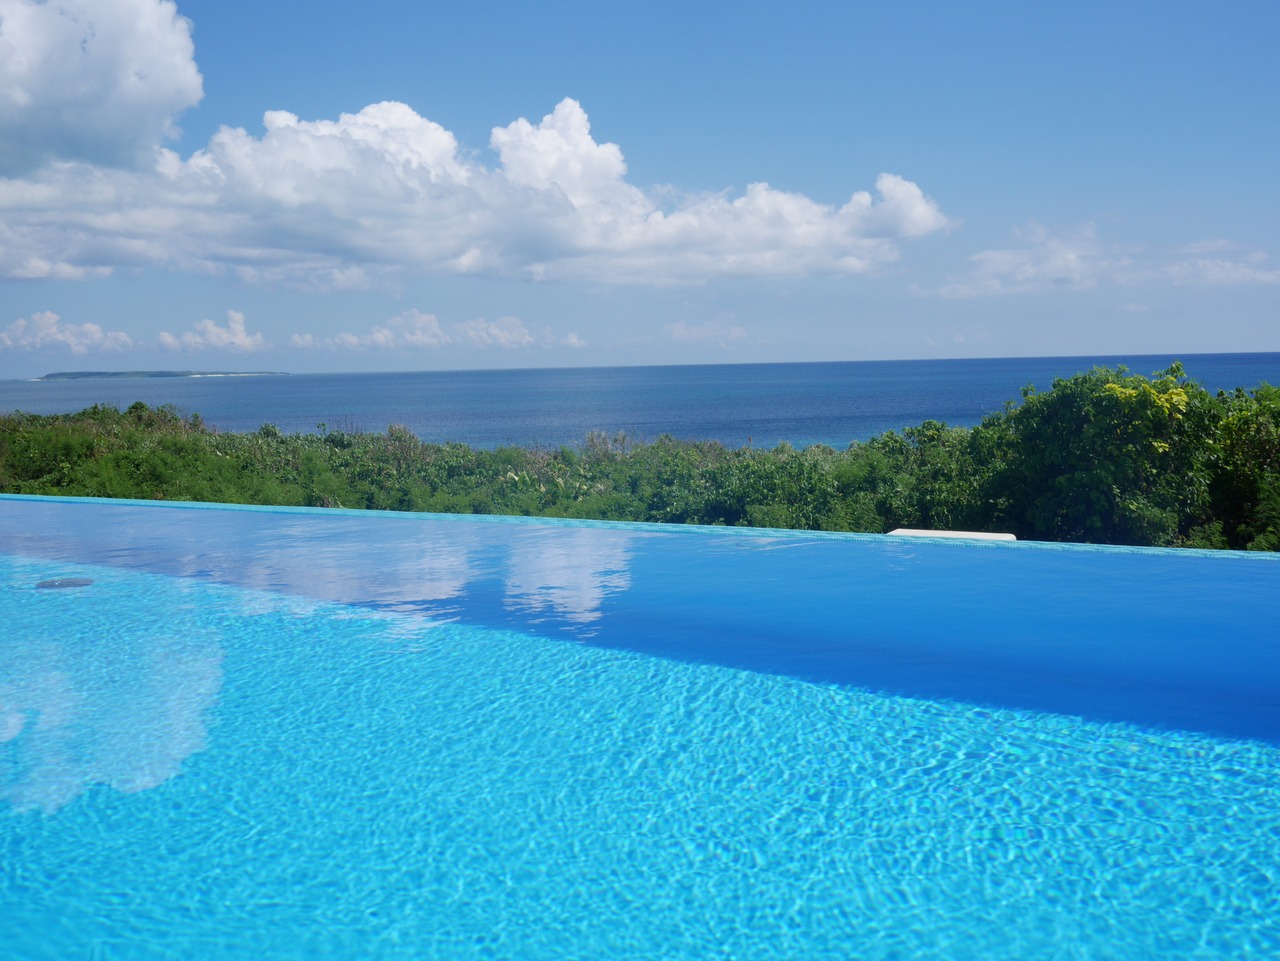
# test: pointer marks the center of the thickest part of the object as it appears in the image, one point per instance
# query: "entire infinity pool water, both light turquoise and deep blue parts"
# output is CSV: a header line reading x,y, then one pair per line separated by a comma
x,y
294,734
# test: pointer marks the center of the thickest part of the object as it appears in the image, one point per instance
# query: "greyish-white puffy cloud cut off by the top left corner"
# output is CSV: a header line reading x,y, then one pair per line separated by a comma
x,y
95,81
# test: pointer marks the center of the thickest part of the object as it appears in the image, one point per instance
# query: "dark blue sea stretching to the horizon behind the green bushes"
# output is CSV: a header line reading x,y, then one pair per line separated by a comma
x,y
737,405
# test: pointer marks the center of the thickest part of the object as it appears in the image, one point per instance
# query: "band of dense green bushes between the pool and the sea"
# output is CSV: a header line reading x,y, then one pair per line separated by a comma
x,y
1103,457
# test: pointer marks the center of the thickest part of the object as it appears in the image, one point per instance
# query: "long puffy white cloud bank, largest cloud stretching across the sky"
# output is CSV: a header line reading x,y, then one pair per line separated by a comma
x,y
355,202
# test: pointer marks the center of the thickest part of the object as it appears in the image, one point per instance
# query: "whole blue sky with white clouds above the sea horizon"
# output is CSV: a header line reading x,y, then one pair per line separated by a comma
x,y
218,185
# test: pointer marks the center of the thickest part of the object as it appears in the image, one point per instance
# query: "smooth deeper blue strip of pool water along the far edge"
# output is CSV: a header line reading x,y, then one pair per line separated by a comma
x,y
1156,638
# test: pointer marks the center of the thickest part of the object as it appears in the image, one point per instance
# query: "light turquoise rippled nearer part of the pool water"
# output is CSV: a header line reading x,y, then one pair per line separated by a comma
x,y
194,770
